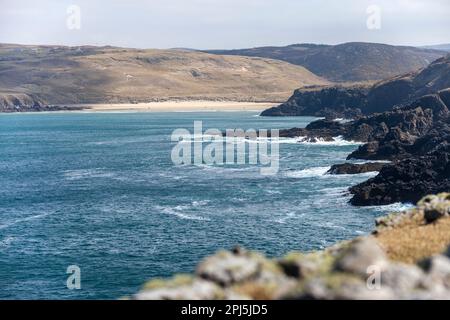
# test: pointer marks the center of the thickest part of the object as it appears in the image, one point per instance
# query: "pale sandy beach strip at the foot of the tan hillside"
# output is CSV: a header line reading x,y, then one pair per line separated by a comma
x,y
177,106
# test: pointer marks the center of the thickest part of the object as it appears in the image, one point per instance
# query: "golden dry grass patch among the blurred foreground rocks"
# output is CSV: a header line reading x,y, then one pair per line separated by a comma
x,y
414,240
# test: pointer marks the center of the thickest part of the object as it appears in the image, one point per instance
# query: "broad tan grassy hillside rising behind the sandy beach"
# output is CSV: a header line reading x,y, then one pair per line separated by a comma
x,y
66,75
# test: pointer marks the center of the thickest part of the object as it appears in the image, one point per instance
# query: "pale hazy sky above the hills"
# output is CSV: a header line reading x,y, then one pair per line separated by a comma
x,y
223,24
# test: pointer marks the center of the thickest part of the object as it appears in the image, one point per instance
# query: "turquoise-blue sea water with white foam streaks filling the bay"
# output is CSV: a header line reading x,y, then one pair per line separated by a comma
x,y
100,191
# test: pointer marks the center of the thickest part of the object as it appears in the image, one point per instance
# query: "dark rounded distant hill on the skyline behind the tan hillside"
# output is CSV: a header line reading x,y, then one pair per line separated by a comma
x,y
355,61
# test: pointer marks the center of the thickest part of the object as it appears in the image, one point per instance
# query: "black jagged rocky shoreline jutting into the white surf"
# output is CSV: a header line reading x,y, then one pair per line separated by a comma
x,y
414,138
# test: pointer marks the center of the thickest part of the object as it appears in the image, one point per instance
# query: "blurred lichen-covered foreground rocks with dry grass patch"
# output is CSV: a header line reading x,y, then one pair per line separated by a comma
x,y
405,258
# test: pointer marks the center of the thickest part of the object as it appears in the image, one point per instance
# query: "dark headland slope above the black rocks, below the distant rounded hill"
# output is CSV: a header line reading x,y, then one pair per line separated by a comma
x,y
354,101
